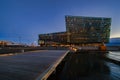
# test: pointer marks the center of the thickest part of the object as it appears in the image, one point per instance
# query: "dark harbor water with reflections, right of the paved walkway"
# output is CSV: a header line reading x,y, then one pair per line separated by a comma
x,y
88,66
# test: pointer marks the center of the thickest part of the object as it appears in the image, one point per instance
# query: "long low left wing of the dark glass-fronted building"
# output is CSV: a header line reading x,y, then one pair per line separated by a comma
x,y
51,38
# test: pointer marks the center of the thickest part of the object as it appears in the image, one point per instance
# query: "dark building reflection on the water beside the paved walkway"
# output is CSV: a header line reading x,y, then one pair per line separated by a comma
x,y
85,67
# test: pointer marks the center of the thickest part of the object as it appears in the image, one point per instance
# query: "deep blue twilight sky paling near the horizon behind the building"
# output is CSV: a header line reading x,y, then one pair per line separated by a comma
x,y
23,20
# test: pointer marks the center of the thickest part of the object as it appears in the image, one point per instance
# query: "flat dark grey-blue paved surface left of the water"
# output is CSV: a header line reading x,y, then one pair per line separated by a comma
x,y
29,65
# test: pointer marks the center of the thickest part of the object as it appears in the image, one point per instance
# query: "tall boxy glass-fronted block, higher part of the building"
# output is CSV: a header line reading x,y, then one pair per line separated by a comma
x,y
87,29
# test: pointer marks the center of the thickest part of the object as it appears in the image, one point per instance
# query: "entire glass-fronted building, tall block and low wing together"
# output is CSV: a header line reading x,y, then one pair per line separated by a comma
x,y
80,30
